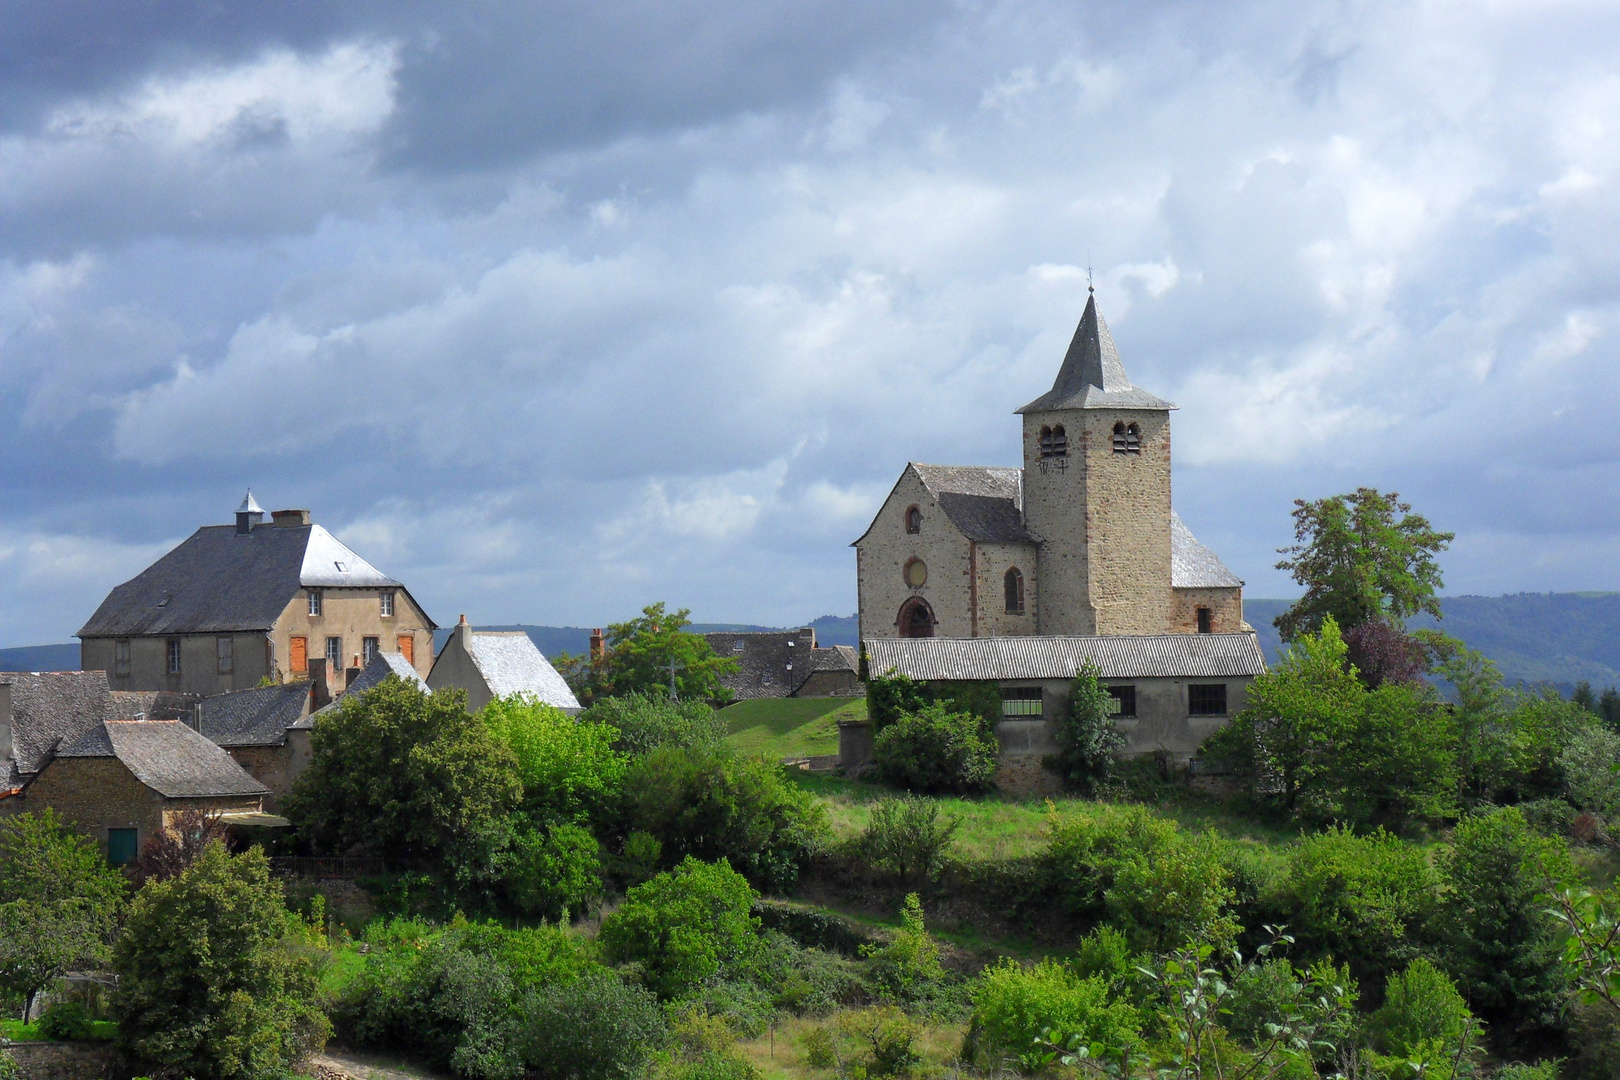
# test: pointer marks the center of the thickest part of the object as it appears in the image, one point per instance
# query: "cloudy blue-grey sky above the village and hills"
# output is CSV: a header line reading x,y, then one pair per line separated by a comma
x,y
553,312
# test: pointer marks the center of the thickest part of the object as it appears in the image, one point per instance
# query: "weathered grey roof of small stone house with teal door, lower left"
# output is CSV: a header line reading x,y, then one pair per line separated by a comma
x,y
168,757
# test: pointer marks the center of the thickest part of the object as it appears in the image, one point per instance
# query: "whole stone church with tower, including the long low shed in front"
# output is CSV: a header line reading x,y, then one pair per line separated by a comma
x,y
1021,576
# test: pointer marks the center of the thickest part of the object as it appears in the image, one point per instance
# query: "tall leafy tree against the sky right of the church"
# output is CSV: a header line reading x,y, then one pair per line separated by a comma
x,y
1362,558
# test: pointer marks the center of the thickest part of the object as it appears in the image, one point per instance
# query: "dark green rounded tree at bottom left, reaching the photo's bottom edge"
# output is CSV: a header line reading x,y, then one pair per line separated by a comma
x,y
215,977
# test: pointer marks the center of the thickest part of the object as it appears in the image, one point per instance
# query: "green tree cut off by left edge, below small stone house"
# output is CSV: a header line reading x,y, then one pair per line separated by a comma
x,y
59,903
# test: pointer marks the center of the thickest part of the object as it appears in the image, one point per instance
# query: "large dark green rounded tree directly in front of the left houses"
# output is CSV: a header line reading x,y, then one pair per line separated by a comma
x,y
407,776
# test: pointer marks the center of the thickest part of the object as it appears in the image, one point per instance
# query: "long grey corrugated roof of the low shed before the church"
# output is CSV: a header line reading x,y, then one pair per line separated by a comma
x,y
1161,657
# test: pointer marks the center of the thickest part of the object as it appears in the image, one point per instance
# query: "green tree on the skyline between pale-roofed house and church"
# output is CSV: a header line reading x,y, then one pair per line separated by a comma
x,y
647,655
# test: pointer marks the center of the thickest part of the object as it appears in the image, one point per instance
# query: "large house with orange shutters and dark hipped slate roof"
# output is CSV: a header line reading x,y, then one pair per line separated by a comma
x,y
234,606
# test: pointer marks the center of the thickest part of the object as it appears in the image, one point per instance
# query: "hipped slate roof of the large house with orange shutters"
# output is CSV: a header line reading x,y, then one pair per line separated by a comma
x,y
221,580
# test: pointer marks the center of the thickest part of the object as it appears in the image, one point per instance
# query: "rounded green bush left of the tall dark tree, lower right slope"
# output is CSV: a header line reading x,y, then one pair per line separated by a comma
x,y
1363,899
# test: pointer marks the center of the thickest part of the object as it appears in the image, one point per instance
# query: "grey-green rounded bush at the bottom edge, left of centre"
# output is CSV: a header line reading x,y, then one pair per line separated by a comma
x,y
592,1029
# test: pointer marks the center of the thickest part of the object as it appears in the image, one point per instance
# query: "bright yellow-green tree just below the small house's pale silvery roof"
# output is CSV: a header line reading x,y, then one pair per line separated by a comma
x,y
569,772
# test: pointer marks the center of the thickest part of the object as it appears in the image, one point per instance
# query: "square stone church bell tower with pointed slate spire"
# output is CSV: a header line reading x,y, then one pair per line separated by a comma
x,y
1098,495
